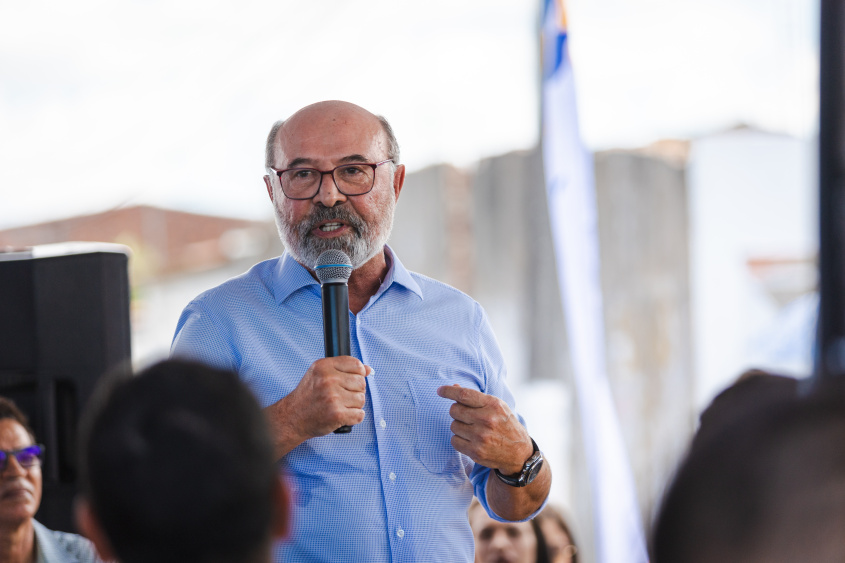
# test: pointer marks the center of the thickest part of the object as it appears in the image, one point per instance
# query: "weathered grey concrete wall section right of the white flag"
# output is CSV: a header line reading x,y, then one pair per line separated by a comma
x,y
643,230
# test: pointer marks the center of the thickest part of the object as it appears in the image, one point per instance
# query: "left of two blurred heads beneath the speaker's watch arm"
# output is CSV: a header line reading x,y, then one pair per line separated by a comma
x,y
505,542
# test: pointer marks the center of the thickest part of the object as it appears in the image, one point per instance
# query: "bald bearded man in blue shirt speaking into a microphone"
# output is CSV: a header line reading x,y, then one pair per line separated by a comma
x,y
433,421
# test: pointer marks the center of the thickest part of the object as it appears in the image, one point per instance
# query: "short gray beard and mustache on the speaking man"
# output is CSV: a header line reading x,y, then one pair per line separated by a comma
x,y
361,244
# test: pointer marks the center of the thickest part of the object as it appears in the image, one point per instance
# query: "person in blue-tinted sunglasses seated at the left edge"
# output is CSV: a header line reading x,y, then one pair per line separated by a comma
x,y
22,538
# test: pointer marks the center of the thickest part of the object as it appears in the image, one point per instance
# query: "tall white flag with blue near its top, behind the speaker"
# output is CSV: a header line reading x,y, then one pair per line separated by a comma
x,y
572,207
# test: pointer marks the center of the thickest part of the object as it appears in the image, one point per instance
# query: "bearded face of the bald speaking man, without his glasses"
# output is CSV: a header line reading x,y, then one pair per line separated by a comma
x,y
323,137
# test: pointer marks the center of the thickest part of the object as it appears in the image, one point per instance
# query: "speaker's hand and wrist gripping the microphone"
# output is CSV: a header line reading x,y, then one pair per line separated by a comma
x,y
330,394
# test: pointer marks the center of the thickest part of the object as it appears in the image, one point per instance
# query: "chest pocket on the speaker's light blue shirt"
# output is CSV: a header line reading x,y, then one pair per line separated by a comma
x,y
433,446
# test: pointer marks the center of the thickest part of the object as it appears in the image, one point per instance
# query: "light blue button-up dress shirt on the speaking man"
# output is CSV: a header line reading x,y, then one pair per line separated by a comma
x,y
393,489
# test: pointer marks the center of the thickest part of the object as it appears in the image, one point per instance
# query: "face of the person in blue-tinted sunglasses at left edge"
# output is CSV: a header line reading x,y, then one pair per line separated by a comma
x,y
20,487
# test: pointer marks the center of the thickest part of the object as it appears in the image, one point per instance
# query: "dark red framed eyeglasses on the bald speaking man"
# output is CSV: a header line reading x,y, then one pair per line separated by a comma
x,y
350,179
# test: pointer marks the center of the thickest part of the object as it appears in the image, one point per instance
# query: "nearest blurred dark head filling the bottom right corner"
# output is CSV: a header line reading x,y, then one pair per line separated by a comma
x,y
766,486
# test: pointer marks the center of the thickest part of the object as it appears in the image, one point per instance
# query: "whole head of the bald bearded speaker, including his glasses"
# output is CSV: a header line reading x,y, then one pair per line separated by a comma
x,y
322,137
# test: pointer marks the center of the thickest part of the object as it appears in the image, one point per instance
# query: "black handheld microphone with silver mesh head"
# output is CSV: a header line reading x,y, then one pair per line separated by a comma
x,y
333,270
